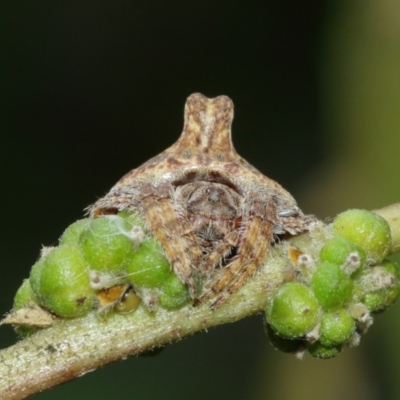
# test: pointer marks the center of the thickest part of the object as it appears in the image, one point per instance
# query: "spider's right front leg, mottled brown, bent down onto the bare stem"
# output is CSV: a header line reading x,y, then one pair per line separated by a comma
x,y
254,244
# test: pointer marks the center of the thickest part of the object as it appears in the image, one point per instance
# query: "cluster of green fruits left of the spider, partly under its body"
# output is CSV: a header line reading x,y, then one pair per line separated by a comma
x,y
103,264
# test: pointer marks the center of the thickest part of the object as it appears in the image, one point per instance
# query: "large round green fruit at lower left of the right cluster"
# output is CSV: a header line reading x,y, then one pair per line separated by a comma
x,y
293,310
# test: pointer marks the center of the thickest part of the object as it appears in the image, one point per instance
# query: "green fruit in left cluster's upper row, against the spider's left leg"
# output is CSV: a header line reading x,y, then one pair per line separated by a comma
x,y
148,267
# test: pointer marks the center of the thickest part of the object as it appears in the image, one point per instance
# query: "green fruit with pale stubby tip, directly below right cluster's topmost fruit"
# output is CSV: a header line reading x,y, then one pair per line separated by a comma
x,y
339,250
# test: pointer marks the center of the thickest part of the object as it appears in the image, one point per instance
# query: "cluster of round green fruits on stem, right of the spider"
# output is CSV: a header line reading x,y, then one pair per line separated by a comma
x,y
332,295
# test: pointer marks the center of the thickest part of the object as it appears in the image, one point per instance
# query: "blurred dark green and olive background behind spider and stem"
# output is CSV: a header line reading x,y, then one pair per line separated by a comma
x,y
90,90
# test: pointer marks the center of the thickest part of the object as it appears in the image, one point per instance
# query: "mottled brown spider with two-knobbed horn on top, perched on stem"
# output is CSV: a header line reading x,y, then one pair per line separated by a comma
x,y
206,205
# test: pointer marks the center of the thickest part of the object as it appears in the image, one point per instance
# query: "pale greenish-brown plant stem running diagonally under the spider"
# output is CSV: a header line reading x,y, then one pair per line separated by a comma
x,y
71,348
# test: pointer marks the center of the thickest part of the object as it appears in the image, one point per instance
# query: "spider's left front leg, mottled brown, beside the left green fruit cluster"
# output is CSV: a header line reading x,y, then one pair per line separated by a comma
x,y
174,235
